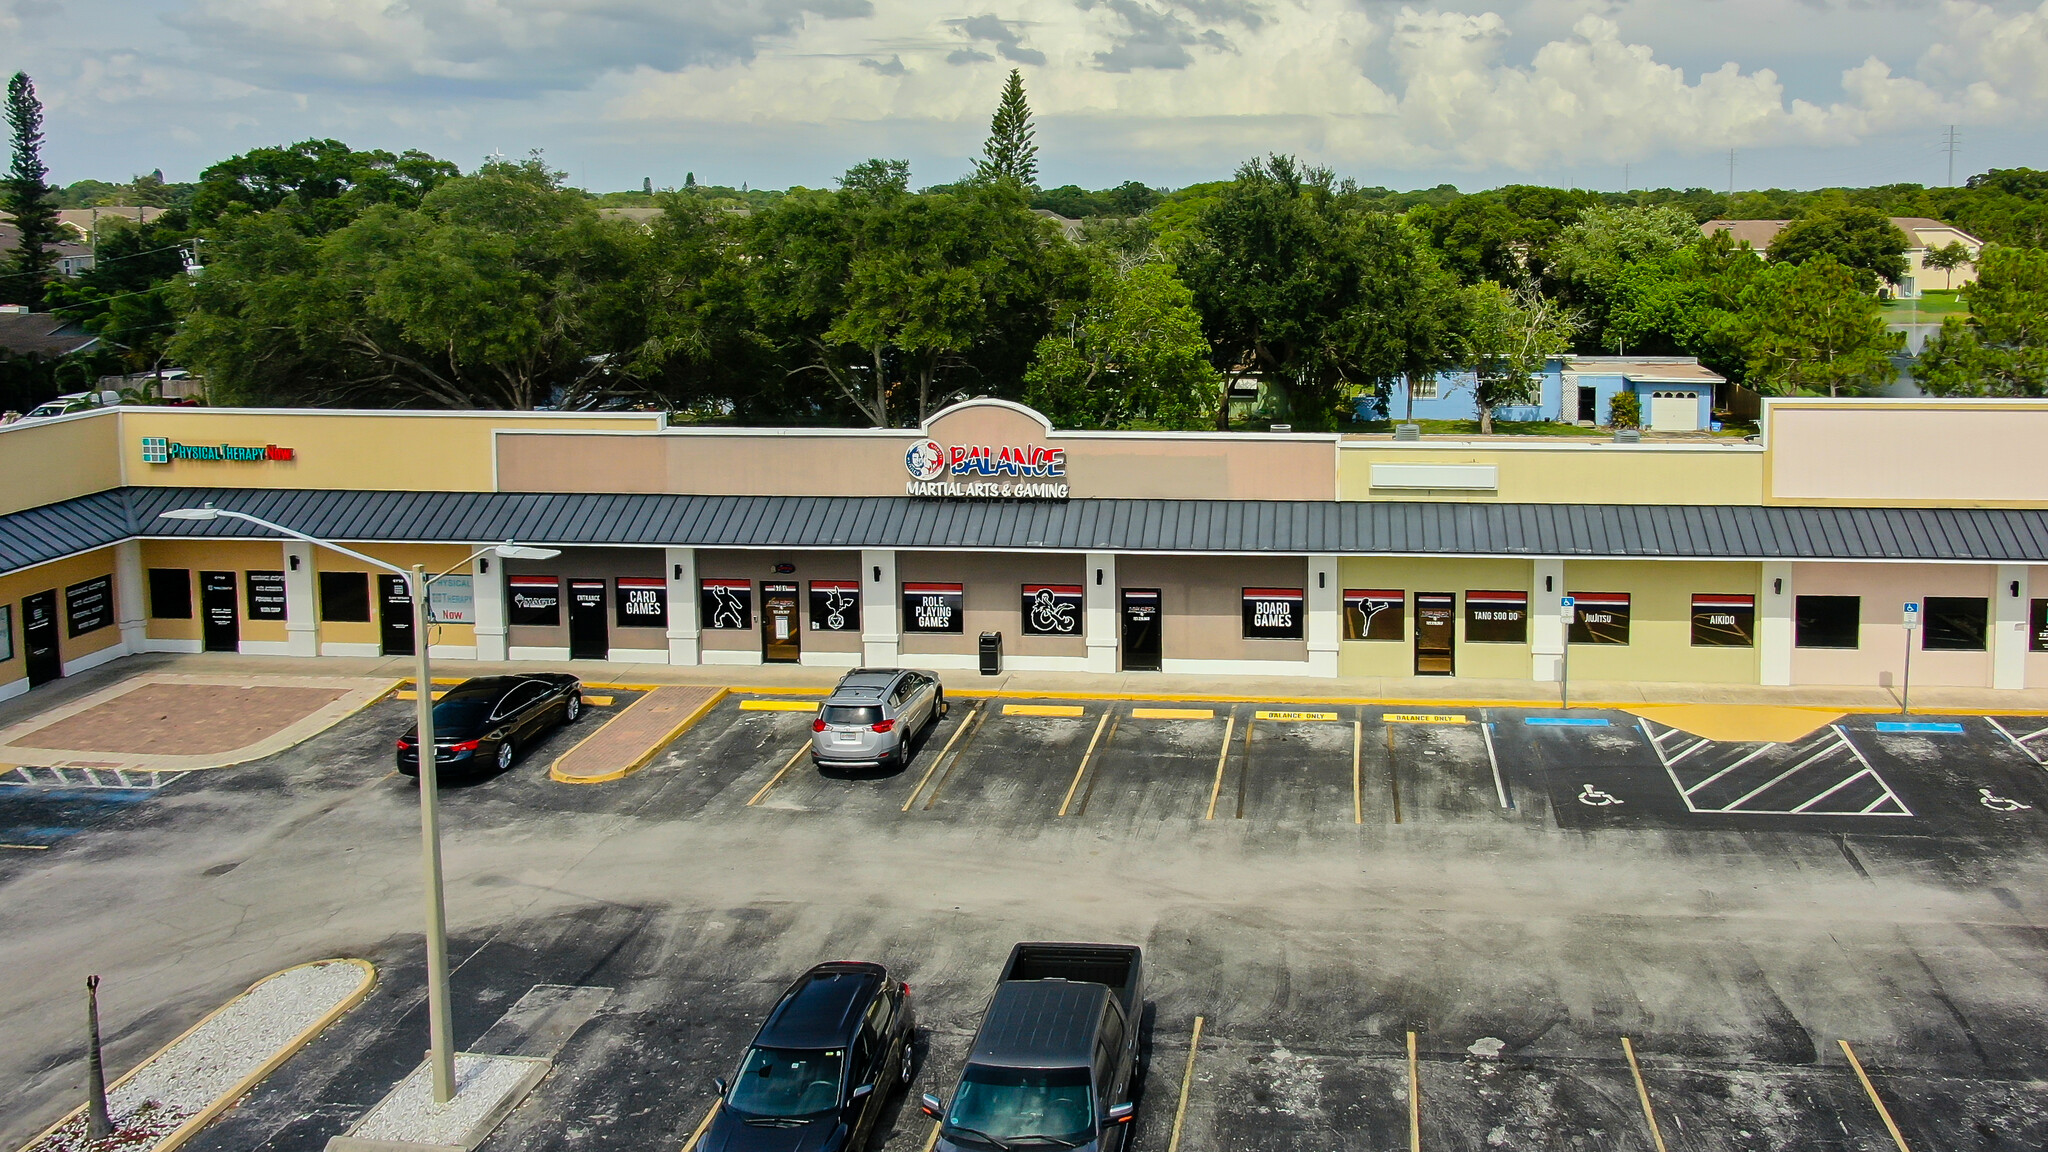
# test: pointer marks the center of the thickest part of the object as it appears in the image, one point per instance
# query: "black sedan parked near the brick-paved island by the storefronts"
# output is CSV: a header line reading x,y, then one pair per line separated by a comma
x,y
484,723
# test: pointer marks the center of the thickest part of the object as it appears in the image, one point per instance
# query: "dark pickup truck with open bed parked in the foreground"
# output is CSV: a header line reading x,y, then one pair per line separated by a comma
x,y
1058,1055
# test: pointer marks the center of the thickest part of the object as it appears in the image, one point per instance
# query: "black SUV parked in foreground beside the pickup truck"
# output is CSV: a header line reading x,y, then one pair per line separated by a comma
x,y
822,1067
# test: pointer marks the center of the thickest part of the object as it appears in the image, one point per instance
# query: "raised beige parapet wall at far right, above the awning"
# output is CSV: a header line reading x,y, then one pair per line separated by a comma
x,y
1975,454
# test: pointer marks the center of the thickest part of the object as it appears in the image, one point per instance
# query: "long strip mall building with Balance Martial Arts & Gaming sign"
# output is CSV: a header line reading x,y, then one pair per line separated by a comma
x,y
1783,563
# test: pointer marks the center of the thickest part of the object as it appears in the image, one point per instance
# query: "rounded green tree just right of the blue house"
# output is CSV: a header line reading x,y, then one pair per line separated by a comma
x,y
1816,331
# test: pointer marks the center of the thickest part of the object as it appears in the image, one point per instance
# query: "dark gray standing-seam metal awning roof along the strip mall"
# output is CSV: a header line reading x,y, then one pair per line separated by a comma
x,y
1678,532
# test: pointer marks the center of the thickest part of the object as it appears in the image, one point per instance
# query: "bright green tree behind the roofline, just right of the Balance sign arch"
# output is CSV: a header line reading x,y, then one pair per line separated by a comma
x,y
1129,356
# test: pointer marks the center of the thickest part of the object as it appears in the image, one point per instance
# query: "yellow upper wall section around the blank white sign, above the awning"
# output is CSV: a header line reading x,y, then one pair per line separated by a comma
x,y
1570,472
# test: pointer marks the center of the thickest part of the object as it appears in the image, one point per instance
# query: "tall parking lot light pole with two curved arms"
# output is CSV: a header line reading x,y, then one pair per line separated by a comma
x,y
441,1018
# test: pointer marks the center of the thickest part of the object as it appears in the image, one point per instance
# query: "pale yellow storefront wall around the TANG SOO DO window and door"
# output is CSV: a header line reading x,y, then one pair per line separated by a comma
x,y
1431,575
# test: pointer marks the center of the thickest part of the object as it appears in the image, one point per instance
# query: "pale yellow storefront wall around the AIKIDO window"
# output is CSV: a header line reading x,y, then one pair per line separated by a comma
x,y
1660,622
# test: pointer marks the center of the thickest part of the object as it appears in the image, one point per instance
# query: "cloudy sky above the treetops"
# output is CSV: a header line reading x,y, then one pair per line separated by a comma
x,y
783,93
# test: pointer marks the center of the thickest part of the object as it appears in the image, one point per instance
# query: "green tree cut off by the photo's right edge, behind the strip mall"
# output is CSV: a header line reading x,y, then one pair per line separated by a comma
x,y
2002,349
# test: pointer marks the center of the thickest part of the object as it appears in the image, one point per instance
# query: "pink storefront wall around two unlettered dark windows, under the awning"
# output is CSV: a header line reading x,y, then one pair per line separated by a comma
x,y
1883,643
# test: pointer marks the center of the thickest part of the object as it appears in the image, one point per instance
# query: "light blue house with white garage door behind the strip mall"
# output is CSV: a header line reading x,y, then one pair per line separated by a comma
x,y
1676,395
